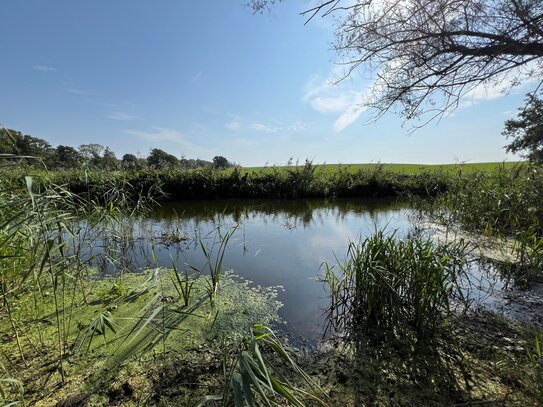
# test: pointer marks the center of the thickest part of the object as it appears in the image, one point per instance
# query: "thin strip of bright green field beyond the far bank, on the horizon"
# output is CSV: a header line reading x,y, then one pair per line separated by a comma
x,y
405,168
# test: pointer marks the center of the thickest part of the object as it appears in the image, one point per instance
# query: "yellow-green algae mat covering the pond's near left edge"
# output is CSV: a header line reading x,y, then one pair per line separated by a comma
x,y
122,330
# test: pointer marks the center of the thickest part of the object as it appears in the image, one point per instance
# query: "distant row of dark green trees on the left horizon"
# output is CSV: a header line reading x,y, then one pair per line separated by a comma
x,y
16,146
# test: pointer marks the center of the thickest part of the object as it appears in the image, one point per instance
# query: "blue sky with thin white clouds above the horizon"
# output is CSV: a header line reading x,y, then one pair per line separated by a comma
x,y
206,78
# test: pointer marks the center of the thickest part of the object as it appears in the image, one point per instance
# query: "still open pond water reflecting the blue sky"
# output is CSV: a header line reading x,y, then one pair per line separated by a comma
x,y
276,243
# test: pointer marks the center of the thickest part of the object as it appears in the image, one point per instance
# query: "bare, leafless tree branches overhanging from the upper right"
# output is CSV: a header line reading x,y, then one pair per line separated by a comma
x,y
425,55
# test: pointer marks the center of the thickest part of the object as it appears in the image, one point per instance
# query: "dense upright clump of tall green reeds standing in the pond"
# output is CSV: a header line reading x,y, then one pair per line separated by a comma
x,y
393,286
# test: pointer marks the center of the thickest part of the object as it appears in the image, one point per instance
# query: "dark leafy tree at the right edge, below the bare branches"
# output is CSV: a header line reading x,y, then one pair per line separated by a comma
x,y
527,130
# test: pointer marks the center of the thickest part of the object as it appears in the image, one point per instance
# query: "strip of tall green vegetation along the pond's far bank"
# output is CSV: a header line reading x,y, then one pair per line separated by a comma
x,y
296,182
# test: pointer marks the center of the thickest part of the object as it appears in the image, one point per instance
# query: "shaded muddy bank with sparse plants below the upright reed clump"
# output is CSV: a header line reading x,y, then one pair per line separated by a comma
x,y
480,358
